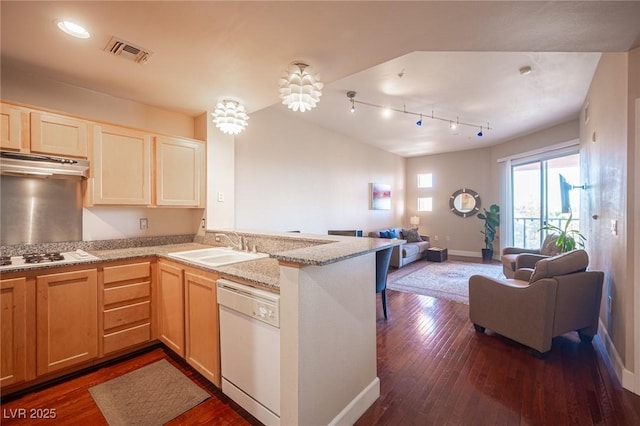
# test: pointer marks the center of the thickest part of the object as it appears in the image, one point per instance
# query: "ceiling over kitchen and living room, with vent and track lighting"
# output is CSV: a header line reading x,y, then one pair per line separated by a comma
x,y
454,59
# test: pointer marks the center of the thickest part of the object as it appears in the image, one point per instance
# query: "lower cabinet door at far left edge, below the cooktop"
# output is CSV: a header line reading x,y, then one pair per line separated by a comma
x,y
13,329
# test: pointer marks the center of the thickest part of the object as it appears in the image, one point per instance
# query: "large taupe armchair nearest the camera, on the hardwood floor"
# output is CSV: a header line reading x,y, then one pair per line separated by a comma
x,y
556,297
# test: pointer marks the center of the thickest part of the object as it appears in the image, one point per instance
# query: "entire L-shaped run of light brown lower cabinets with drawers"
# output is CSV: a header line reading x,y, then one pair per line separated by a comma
x,y
53,322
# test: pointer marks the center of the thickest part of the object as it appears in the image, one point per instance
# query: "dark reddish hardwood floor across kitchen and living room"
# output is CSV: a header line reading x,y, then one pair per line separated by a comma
x,y
434,369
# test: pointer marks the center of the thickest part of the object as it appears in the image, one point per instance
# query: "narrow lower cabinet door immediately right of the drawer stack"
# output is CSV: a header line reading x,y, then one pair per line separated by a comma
x,y
171,307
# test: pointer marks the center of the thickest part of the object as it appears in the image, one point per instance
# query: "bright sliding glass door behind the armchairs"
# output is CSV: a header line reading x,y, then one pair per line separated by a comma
x,y
543,193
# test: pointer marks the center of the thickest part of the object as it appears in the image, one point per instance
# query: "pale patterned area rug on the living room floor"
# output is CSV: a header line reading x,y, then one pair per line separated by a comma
x,y
446,280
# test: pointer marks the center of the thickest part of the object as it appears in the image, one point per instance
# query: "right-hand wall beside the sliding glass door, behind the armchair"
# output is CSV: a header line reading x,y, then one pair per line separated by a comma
x,y
606,198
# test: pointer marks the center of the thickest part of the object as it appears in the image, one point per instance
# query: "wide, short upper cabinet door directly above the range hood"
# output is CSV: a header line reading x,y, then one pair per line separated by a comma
x,y
59,135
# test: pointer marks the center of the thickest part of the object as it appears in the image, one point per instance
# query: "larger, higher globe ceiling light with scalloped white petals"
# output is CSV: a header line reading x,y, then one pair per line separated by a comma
x,y
300,88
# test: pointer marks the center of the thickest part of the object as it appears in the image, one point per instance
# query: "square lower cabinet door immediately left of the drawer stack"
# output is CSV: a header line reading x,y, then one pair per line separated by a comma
x,y
67,319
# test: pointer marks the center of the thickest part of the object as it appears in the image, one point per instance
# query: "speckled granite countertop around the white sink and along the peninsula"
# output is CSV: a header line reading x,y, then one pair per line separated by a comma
x,y
303,249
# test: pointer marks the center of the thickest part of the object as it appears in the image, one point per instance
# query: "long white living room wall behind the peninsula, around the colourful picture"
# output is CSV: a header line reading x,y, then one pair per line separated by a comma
x,y
292,175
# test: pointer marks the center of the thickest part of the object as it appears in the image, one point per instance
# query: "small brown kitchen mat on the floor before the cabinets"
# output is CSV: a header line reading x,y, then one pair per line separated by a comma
x,y
151,395
